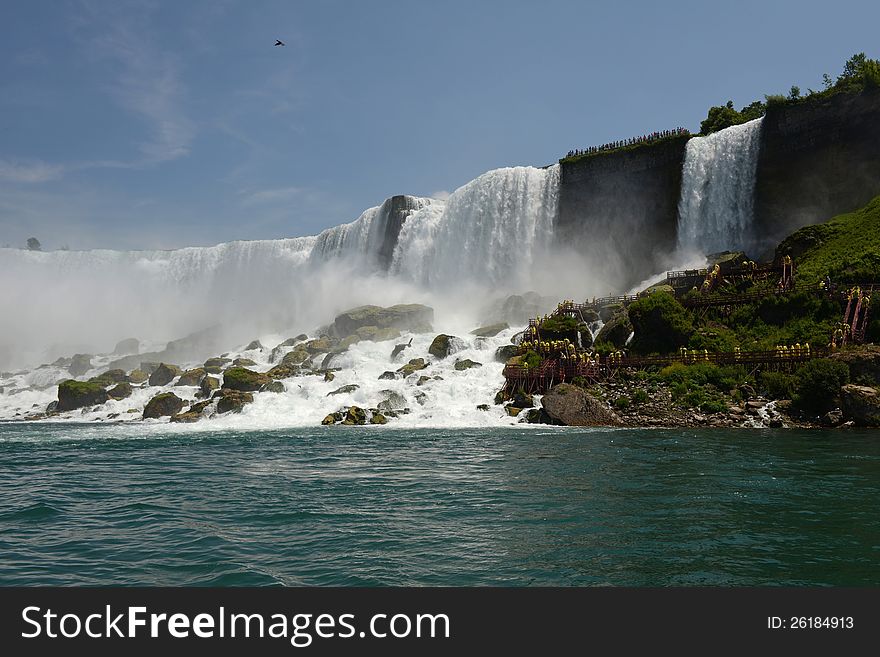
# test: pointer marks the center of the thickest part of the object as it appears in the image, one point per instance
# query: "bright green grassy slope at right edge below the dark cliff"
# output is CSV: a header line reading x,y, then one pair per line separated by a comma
x,y
846,248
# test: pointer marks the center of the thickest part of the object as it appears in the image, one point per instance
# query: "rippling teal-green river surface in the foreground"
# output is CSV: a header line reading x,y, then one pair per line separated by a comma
x,y
141,505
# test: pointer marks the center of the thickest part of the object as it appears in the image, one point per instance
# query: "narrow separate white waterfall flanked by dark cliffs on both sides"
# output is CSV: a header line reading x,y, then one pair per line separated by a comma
x,y
716,207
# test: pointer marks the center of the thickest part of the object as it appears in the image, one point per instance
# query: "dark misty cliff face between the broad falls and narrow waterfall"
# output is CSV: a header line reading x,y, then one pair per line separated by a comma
x,y
620,209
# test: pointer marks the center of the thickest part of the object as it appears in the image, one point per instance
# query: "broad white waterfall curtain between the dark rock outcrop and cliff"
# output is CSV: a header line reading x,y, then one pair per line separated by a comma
x,y
488,231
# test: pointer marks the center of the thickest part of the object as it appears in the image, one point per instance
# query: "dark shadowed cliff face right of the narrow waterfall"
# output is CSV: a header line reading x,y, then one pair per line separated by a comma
x,y
818,159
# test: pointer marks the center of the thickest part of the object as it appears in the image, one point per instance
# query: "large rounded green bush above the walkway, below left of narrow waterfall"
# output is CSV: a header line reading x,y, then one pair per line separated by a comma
x,y
661,324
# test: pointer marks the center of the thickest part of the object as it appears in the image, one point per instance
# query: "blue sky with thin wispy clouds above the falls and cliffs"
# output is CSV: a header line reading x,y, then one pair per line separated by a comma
x,y
149,124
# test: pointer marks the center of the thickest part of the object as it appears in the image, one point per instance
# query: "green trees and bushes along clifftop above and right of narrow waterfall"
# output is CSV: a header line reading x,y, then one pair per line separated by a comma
x,y
859,74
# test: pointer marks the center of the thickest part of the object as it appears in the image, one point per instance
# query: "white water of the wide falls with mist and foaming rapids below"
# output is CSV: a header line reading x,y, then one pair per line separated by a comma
x,y
485,235
